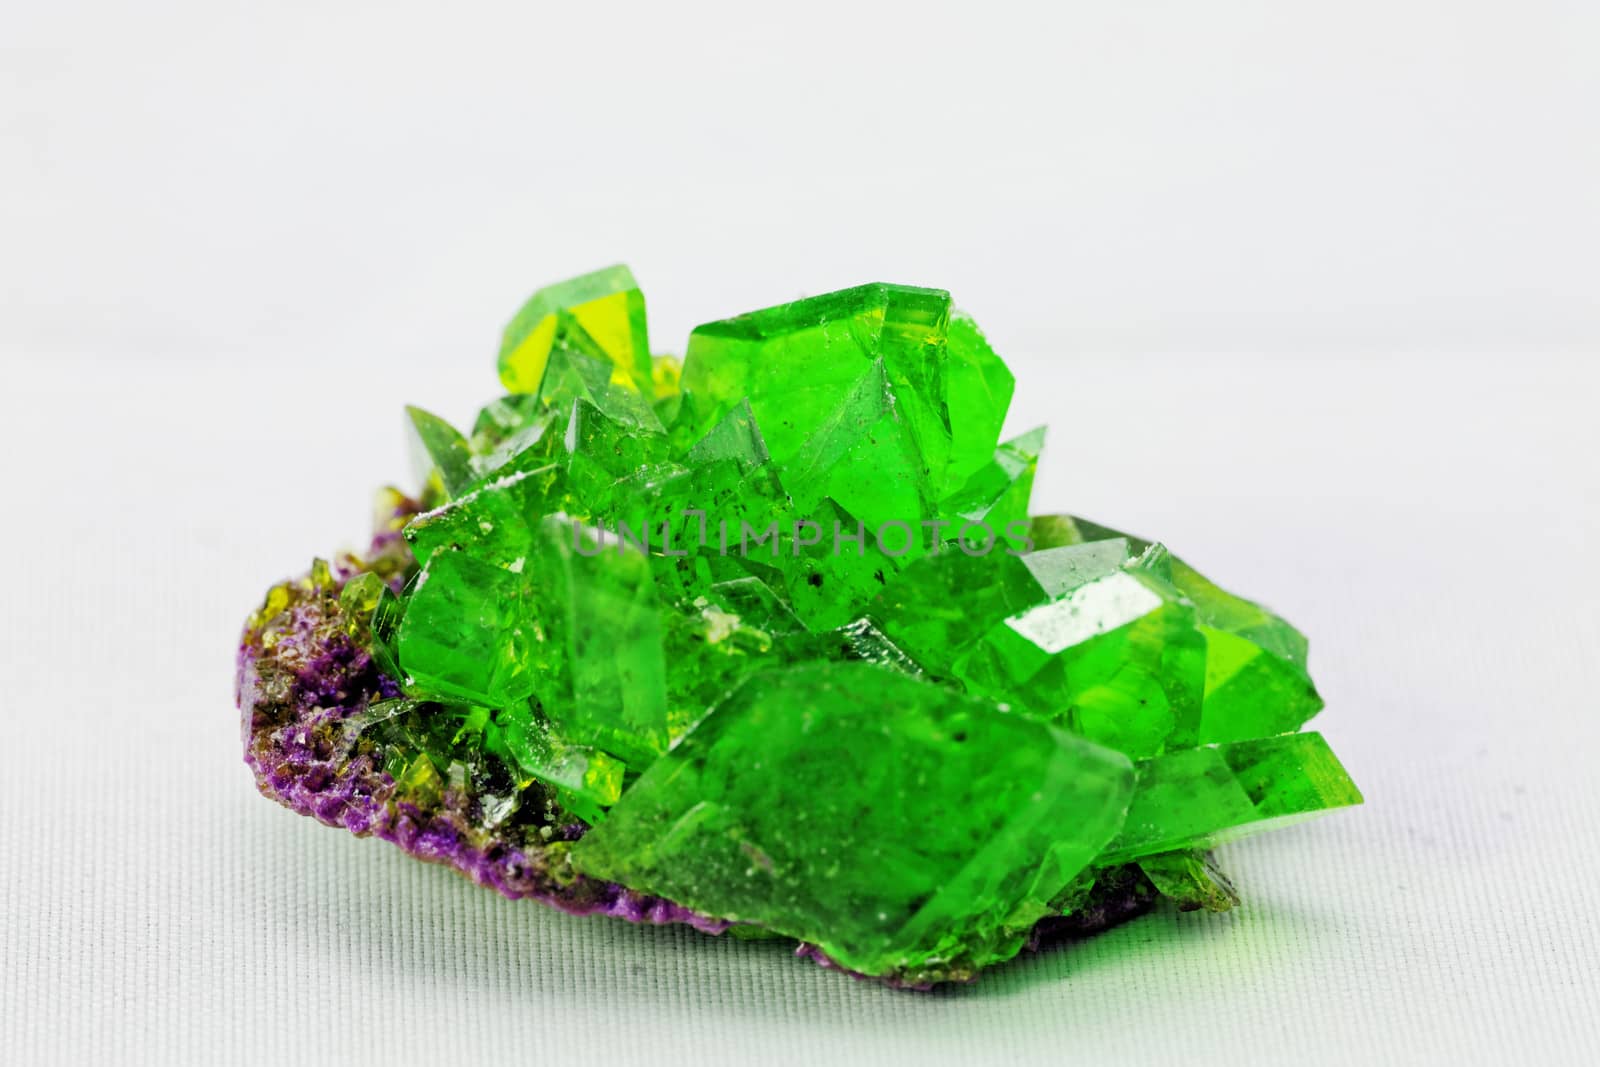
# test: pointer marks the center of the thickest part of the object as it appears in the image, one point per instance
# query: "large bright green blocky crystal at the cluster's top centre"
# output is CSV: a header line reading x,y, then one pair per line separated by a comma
x,y
854,396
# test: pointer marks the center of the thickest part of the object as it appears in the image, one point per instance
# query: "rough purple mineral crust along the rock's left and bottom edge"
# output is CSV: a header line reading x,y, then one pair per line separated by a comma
x,y
303,689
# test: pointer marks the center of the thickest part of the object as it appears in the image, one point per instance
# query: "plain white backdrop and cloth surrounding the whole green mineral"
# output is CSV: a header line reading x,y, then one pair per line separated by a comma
x,y
1310,297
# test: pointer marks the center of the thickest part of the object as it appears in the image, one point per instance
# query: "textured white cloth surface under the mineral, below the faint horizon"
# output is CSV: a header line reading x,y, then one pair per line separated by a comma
x,y
1426,522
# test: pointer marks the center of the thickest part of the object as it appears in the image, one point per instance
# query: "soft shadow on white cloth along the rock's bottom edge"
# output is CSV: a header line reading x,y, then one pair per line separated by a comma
x,y
374,906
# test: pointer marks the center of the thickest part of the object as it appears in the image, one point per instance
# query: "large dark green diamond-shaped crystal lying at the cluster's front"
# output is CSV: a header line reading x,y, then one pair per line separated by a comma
x,y
894,823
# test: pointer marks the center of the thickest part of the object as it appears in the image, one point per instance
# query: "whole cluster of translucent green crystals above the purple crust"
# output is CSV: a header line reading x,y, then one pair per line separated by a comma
x,y
777,629
